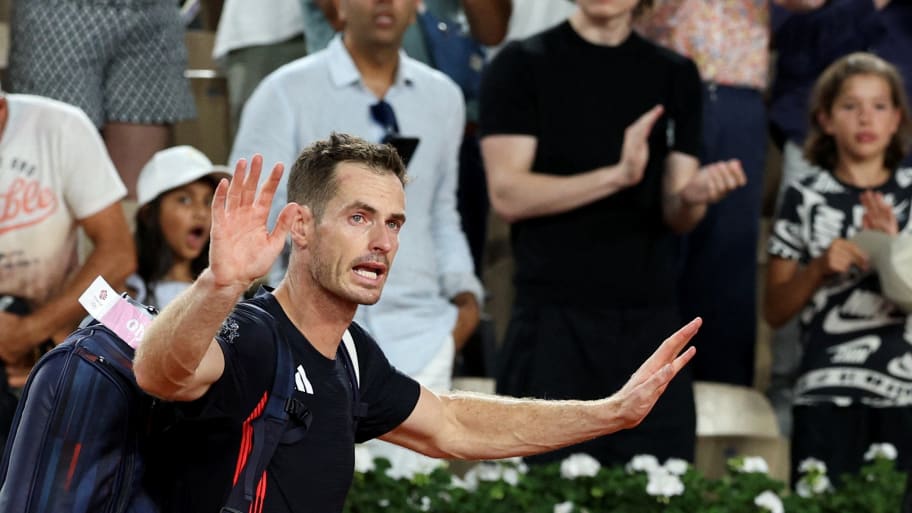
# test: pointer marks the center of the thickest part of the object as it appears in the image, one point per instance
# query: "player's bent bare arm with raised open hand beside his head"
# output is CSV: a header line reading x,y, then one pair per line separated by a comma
x,y
179,359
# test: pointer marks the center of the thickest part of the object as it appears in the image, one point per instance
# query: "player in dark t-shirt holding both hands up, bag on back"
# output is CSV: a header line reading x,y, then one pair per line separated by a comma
x,y
347,209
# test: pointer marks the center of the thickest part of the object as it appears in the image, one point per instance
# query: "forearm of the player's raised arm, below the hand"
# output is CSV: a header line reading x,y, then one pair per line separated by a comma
x,y
177,340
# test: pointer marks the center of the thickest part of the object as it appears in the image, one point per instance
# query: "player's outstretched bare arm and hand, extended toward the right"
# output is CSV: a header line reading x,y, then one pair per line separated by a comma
x,y
472,426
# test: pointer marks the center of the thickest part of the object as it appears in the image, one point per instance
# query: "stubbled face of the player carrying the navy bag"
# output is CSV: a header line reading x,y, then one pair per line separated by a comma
x,y
358,235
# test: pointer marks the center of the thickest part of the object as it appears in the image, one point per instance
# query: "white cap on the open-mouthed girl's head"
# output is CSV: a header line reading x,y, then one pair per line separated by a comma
x,y
174,167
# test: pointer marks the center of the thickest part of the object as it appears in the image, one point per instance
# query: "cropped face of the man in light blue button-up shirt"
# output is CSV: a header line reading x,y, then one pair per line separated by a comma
x,y
377,22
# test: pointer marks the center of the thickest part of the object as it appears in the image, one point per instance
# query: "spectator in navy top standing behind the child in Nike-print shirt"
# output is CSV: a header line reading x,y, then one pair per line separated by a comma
x,y
806,44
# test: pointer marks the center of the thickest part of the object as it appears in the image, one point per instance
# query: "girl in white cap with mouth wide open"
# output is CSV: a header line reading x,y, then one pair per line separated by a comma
x,y
172,223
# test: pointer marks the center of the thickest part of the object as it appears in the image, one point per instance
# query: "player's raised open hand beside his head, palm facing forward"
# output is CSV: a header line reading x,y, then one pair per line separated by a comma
x,y
241,248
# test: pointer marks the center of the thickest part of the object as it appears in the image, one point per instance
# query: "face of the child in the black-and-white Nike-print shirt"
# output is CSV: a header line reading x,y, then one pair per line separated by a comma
x,y
863,118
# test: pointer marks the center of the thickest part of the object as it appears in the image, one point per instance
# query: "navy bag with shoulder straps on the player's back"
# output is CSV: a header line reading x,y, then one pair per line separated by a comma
x,y
83,429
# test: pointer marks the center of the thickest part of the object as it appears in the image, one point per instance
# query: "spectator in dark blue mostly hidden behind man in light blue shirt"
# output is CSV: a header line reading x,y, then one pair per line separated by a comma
x,y
447,35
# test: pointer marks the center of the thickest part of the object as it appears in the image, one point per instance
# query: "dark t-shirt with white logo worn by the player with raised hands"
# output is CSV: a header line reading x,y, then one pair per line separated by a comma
x,y
313,475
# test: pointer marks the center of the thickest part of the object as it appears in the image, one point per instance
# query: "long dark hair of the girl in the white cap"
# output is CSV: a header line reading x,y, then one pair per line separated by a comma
x,y
155,257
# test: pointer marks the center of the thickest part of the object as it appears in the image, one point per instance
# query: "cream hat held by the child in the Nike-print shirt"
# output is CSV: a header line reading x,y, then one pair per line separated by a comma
x,y
891,257
